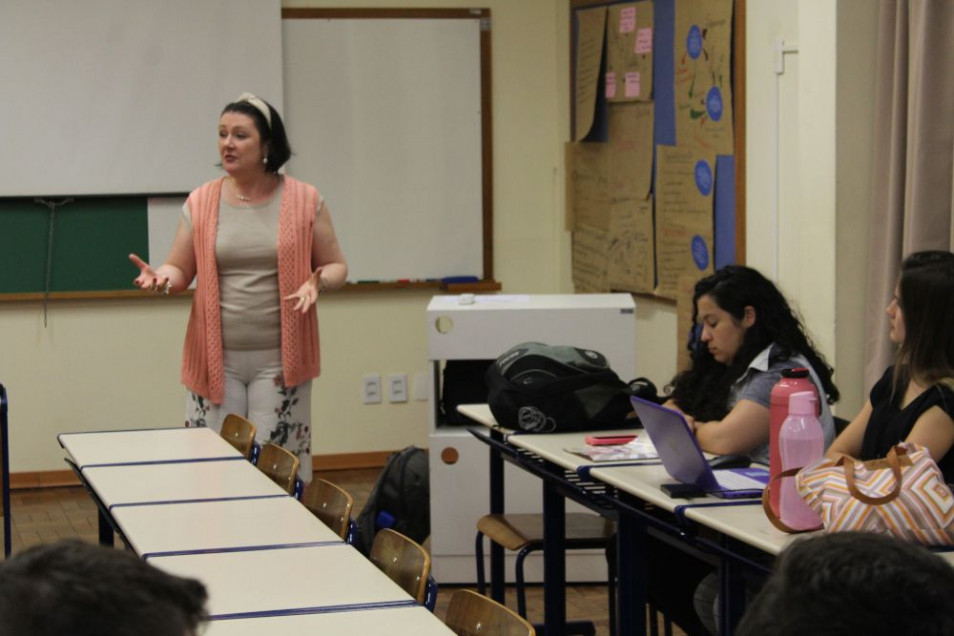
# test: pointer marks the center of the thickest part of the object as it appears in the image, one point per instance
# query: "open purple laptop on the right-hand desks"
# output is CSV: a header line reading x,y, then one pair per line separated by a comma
x,y
683,459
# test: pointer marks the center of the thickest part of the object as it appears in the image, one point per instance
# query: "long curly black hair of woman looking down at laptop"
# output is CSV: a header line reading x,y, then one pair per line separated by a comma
x,y
703,390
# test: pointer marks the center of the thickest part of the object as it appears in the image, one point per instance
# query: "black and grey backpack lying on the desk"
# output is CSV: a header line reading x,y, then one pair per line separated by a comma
x,y
547,389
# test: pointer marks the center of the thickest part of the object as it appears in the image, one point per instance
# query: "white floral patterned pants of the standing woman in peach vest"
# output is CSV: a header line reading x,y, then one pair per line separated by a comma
x,y
254,389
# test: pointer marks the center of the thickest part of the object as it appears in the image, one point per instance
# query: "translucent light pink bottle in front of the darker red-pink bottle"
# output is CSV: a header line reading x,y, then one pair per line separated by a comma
x,y
801,441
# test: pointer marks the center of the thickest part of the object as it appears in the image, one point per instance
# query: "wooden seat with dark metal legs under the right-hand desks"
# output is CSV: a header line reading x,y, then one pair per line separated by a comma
x,y
523,534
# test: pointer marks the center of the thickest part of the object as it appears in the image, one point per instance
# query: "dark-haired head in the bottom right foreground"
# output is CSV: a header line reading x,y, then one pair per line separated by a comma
x,y
852,583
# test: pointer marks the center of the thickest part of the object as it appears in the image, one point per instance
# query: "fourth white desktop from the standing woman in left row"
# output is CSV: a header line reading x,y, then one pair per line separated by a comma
x,y
284,579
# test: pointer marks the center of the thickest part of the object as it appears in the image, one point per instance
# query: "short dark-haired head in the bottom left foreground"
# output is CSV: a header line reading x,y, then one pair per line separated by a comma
x,y
77,588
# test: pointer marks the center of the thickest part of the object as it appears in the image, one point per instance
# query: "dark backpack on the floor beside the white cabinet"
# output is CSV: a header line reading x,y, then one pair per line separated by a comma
x,y
400,499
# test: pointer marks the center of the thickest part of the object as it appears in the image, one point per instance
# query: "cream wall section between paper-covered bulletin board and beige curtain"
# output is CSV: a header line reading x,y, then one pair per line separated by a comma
x,y
808,159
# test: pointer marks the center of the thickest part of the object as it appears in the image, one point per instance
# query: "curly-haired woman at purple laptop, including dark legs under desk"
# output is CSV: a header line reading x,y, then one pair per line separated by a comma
x,y
744,334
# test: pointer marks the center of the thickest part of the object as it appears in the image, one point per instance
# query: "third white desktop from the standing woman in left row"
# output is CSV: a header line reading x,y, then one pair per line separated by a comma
x,y
220,525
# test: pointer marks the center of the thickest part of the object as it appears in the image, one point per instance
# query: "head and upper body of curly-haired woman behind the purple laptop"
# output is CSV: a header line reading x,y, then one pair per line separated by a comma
x,y
744,334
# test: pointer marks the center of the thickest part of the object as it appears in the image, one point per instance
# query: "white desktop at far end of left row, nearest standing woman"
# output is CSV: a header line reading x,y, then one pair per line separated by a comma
x,y
164,444
